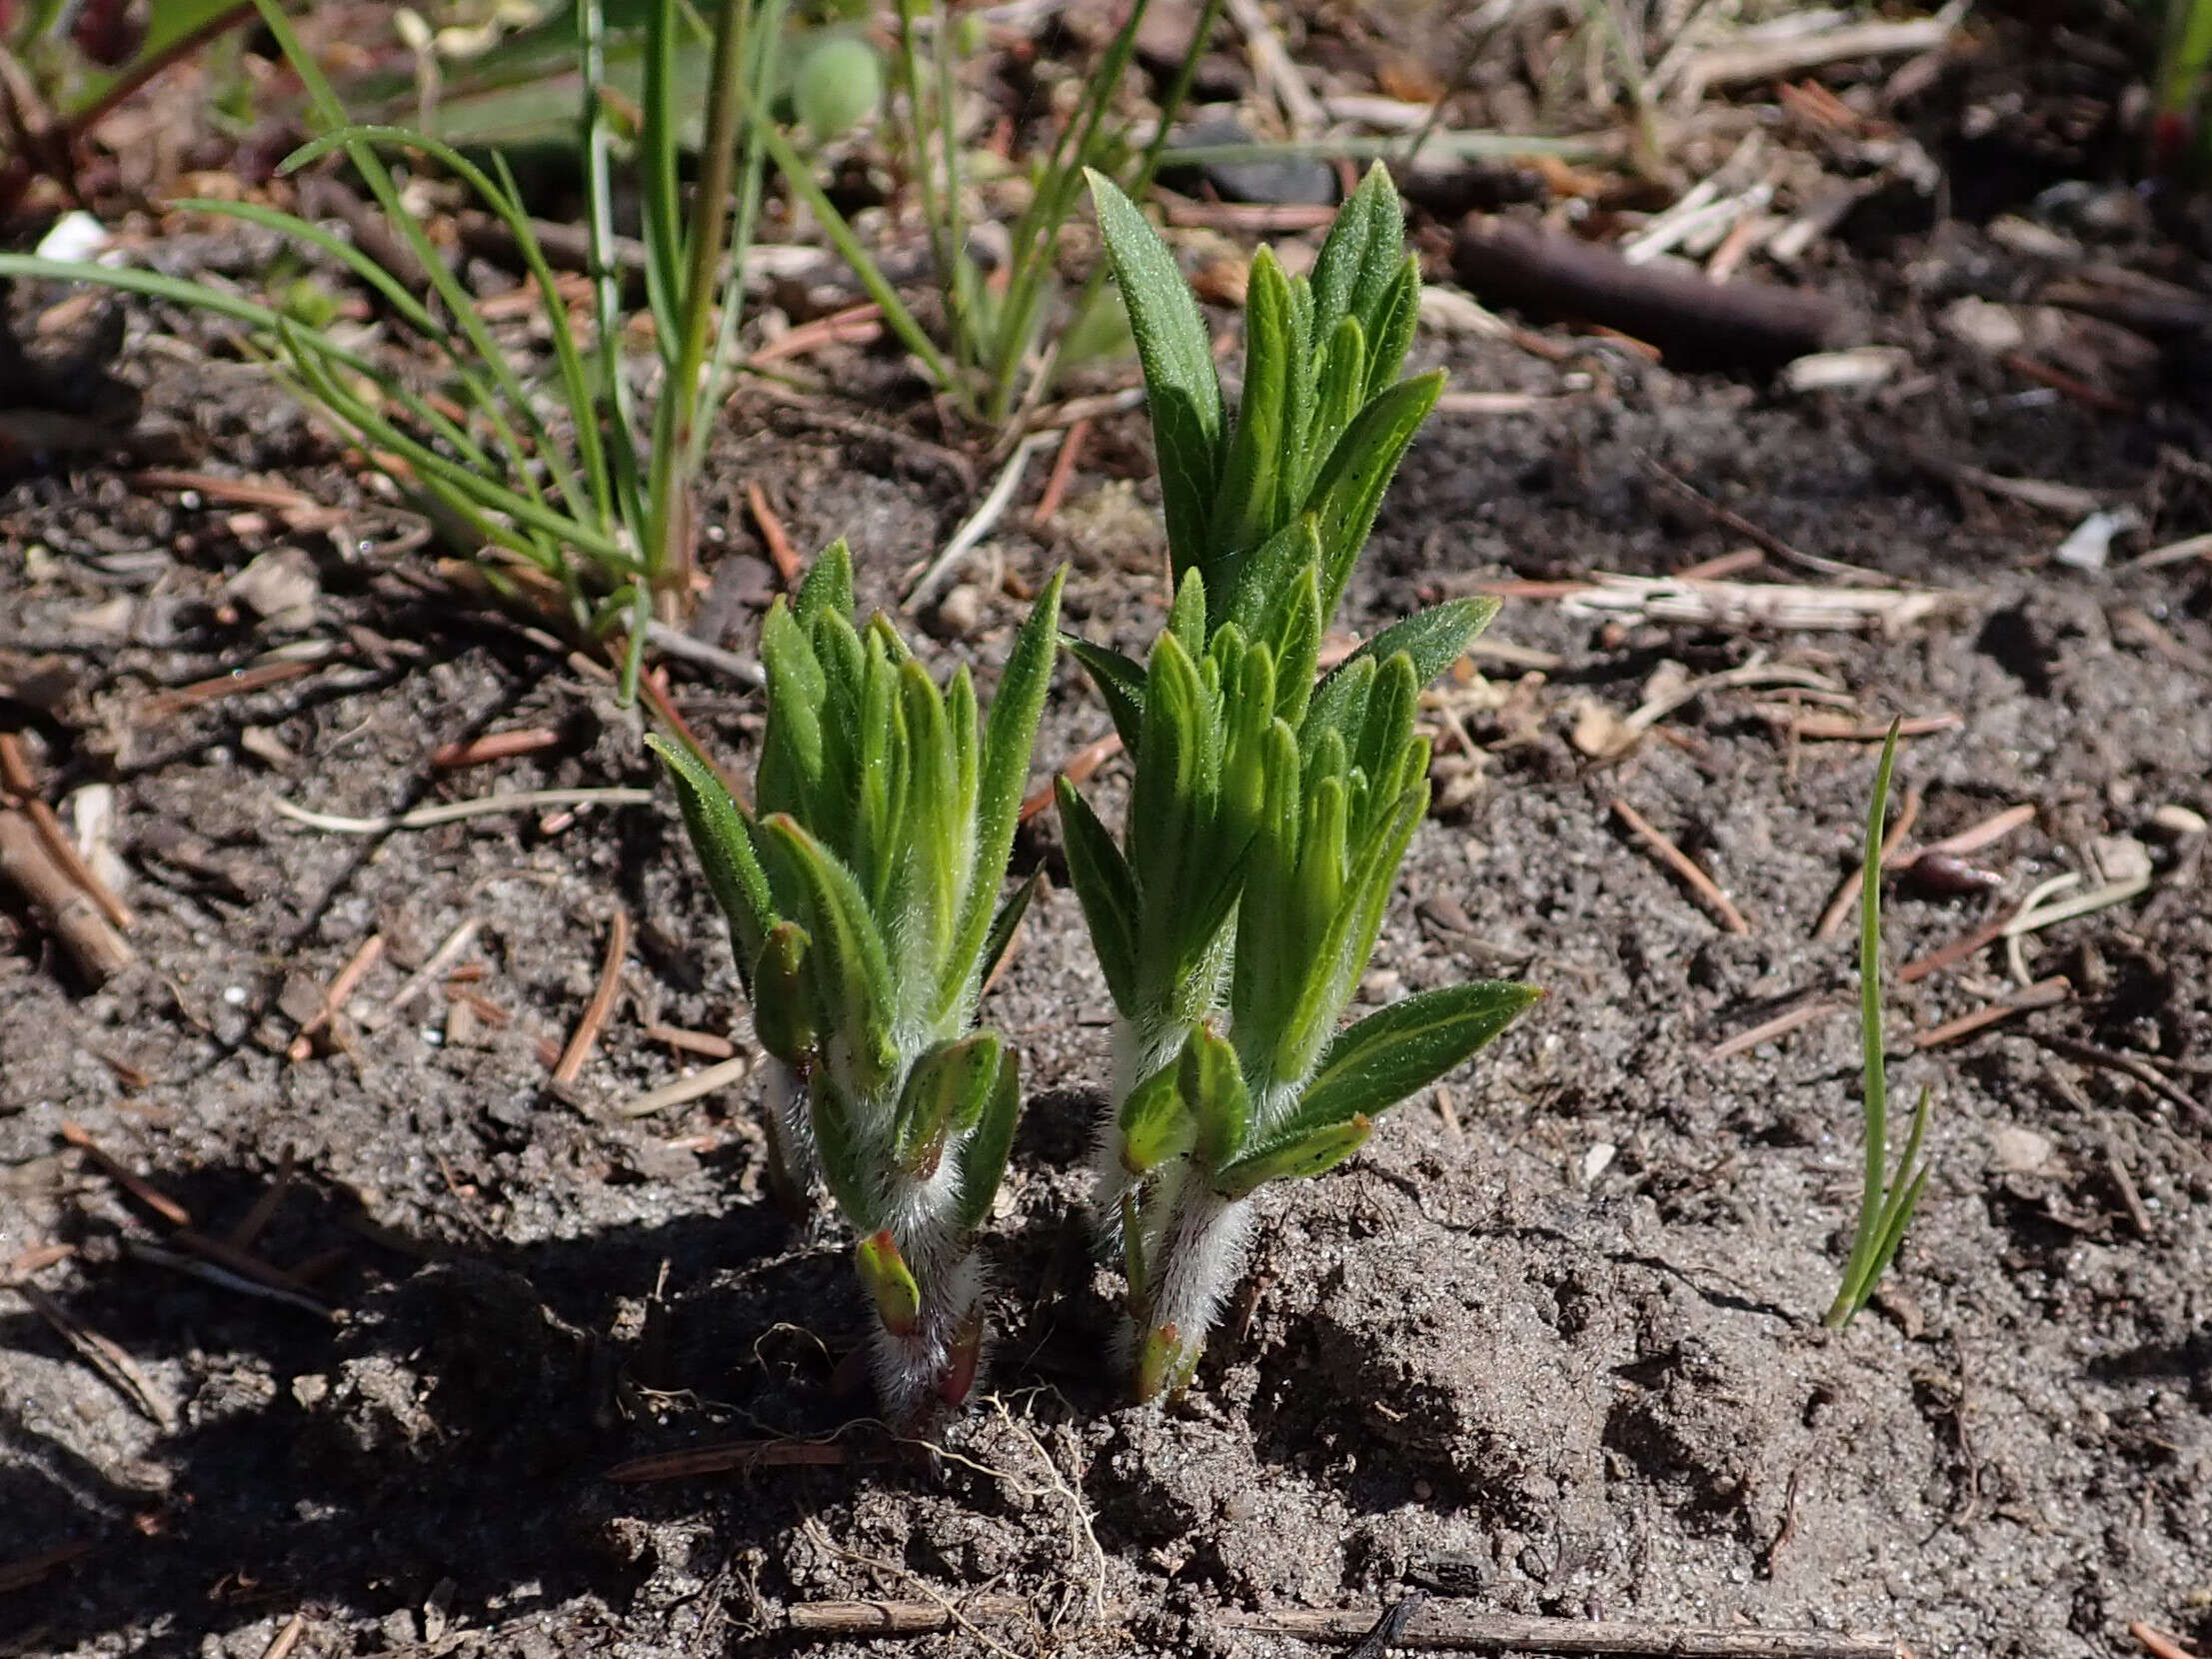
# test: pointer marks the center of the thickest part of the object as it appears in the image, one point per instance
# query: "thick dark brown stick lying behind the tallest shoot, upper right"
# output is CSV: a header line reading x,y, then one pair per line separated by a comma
x,y
1691,320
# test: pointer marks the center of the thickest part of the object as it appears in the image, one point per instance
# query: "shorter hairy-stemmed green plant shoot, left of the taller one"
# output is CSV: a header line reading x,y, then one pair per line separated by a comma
x,y
864,906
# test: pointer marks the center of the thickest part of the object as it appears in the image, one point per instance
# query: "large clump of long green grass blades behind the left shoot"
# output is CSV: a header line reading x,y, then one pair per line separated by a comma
x,y
559,481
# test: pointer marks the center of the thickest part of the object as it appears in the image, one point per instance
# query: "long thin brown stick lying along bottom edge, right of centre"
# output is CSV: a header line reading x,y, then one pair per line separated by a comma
x,y
1443,1627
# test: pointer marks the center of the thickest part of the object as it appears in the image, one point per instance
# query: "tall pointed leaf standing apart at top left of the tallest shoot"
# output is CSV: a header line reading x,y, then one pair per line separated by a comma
x,y
1178,359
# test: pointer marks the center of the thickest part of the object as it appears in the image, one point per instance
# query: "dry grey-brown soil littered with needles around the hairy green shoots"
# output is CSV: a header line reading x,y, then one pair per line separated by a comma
x,y
1552,1342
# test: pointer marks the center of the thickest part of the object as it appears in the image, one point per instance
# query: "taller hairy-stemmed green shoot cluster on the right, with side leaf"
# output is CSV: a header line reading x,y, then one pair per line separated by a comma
x,y
1269,815
